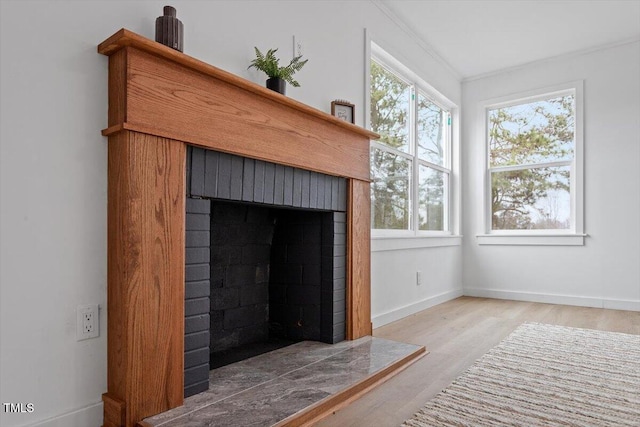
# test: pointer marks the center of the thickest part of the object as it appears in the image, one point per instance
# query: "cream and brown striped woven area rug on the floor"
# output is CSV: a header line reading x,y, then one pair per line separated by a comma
x,y
544,375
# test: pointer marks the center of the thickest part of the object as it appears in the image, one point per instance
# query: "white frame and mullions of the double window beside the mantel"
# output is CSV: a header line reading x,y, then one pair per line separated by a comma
x,y
414,238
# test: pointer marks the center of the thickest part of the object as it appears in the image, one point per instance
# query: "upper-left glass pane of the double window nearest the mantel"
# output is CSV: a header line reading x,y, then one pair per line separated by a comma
x,y
390,108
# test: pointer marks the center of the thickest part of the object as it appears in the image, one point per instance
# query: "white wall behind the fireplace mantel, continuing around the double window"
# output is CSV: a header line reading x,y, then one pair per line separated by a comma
x,y
53,168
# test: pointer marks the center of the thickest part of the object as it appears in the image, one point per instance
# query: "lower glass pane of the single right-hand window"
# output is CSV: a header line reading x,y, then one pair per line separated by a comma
x,y
531,199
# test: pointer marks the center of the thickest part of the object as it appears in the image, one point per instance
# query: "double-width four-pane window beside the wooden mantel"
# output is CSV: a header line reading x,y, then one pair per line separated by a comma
x,y
411,162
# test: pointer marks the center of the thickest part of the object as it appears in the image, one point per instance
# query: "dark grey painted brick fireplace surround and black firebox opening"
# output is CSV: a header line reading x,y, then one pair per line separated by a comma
x,y
265,257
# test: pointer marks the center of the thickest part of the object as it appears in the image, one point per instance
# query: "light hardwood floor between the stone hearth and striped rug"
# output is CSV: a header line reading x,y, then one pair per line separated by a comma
x,y
457,333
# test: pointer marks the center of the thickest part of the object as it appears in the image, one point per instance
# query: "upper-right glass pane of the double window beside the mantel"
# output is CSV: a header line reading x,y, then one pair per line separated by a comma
x,y
431,131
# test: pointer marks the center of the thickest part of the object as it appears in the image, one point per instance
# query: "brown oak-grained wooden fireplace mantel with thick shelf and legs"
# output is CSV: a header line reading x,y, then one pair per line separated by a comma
x,y
160,101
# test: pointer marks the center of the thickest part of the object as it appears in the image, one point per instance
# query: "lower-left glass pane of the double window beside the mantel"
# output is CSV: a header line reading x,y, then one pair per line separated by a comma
x,y
390,190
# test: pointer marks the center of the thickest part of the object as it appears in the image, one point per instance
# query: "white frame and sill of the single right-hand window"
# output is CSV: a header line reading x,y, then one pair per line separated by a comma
x,y
565,237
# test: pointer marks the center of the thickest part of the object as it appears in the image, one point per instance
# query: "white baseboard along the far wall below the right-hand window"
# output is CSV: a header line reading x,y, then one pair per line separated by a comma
x,y
554,299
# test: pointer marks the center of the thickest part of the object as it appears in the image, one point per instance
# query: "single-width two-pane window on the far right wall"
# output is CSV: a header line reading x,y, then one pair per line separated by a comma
x,y
534,168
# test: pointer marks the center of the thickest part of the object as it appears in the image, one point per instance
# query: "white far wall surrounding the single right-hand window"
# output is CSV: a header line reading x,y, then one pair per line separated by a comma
x,y
605,272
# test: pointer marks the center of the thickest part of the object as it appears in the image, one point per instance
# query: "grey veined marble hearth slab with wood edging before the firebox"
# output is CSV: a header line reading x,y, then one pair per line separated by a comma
x,y
276,386
